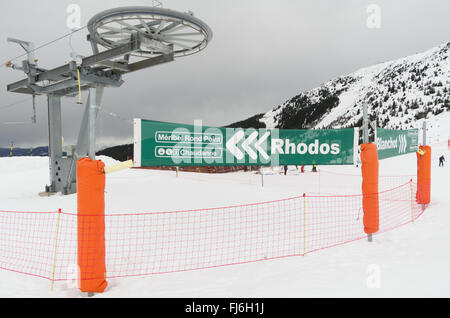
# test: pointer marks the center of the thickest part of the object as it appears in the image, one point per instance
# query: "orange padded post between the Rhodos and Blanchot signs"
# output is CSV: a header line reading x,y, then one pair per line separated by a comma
x,y
369,169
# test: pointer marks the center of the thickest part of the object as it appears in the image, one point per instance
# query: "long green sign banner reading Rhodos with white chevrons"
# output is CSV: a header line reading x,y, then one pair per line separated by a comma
x,y
168,144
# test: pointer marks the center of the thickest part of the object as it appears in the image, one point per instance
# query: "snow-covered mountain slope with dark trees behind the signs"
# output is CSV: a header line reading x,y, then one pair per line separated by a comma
x,y
399,94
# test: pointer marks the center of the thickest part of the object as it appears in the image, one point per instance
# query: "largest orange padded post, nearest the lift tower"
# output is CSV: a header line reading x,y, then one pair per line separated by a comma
x,y
91,225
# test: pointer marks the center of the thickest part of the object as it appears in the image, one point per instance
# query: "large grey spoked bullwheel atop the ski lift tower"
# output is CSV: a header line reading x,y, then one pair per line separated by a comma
x,y
160,30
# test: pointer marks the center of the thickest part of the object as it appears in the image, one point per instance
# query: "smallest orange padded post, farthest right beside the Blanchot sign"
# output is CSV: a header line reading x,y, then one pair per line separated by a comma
x,y
423,195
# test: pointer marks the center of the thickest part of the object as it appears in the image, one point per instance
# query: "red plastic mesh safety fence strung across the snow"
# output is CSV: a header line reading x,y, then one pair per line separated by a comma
x,y
154,243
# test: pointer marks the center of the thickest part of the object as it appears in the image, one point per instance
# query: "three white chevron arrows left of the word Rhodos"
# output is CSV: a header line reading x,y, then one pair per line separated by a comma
x,y
238,136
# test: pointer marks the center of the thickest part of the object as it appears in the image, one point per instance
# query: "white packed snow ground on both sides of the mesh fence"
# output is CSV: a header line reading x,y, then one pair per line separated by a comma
x,y
410,261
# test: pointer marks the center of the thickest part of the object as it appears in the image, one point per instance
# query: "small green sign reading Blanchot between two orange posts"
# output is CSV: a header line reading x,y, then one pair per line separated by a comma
x,y
391,143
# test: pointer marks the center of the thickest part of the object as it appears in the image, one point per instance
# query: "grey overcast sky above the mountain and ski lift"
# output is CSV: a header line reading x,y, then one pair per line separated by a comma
x,y
262,53
